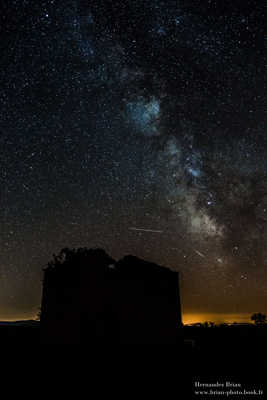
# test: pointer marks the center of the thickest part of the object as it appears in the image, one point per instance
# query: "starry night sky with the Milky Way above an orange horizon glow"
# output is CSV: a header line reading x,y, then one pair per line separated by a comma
x,y
139,127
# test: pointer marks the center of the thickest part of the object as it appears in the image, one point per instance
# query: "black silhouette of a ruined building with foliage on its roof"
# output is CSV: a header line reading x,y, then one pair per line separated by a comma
x,y
88,297
